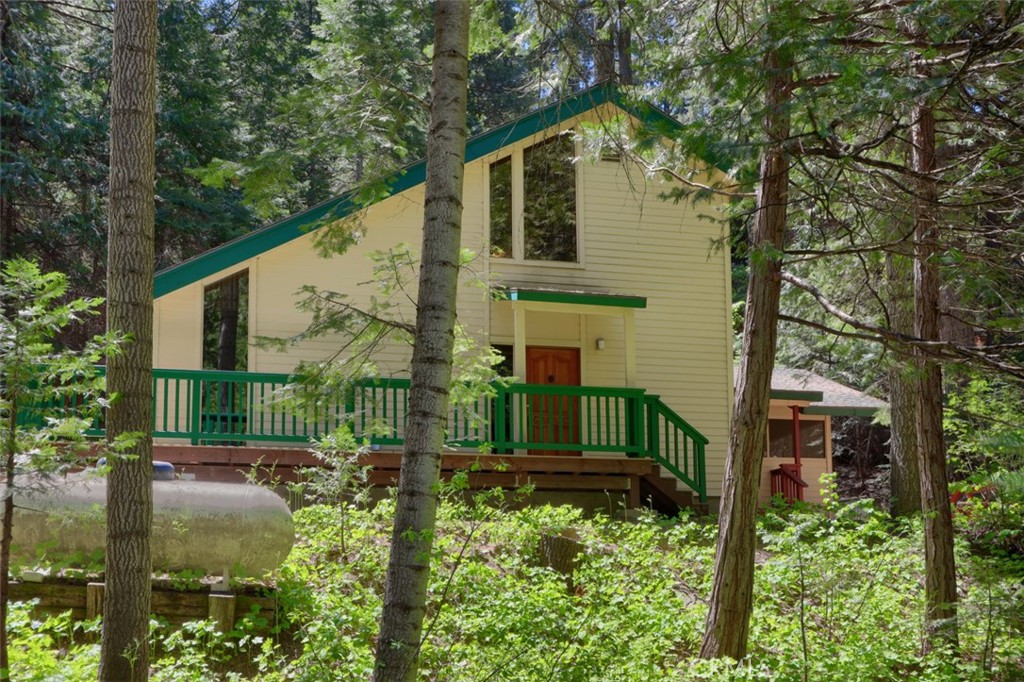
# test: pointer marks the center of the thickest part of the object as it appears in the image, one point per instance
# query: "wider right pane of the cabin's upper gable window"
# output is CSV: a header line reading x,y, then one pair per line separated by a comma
x,y
549,201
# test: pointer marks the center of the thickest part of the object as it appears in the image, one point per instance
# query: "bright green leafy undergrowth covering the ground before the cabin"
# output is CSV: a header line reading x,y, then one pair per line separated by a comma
x,y
838,598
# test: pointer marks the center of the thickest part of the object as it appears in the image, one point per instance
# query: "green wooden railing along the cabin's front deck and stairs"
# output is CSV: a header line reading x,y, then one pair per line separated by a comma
x,y
209,407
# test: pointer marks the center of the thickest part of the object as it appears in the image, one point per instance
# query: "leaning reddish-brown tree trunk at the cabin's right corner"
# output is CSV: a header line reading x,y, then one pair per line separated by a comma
x,y
732,602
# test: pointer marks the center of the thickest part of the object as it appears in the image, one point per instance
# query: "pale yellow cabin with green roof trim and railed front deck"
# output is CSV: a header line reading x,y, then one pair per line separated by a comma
x,y
614,316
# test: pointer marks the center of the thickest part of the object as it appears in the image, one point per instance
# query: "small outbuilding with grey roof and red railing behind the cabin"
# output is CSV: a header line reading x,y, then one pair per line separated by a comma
x,y
805,403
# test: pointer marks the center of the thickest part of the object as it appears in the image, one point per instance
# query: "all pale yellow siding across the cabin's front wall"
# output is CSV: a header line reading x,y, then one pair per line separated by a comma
x,y
631,242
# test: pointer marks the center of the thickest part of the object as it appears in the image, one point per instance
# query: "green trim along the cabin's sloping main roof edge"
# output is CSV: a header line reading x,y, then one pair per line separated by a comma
x,y
266,239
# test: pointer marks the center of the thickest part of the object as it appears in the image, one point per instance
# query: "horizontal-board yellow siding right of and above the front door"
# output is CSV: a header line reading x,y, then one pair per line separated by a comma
x,y
635,243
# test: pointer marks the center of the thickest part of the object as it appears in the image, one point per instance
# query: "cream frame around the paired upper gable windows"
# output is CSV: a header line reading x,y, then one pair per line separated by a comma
x,y
516,155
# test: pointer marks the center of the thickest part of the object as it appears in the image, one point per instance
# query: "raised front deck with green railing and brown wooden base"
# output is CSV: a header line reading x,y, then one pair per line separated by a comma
x,y
592,438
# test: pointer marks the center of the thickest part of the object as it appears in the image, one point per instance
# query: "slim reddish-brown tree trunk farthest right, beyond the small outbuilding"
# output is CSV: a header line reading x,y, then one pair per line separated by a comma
x,y
941,569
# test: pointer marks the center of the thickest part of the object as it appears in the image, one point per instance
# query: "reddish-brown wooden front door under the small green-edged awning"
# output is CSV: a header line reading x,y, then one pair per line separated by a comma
x,y
554,419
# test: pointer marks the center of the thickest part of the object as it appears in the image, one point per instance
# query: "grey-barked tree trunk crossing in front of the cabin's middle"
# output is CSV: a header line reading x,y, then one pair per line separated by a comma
x,y
412,539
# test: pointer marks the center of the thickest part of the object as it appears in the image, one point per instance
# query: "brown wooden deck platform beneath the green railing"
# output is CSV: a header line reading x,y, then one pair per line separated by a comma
x,y
565,474
